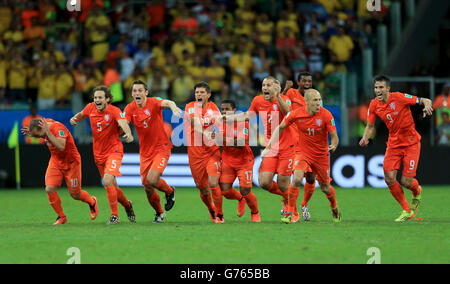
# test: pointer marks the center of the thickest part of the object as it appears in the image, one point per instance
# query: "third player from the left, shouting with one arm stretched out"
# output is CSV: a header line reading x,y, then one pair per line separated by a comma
x,y
154,144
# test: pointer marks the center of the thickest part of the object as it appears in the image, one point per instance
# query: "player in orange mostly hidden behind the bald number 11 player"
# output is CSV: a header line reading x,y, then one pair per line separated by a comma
x,y
297,99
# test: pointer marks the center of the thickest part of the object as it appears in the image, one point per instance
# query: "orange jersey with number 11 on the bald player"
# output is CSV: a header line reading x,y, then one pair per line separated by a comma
x,y
313,131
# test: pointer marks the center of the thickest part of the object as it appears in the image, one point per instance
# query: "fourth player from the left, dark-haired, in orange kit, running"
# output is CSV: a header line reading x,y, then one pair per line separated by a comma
x,y
204,154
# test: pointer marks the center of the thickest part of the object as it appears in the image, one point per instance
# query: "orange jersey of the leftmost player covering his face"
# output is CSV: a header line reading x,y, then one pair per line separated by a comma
x,y
62,159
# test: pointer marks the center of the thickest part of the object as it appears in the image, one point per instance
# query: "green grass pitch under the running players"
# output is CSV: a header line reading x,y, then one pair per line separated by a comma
x,y
189,237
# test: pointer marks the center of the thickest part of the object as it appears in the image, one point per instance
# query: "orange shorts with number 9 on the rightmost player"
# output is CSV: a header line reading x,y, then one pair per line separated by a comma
x,y
409,156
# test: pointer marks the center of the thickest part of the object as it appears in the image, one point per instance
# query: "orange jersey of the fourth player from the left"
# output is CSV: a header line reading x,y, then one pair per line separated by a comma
x,y
198,145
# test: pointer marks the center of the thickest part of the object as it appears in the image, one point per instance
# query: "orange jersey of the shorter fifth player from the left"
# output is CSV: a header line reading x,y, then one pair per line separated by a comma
x,y
231,155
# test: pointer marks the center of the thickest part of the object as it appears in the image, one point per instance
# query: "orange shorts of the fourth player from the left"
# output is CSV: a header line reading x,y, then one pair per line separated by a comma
x,y
202,169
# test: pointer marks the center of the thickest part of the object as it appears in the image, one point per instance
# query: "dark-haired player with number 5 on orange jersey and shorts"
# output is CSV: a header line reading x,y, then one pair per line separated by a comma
x,y
105,121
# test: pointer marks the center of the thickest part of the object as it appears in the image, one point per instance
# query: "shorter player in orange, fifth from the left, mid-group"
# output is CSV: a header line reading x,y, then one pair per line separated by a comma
x,y
237,160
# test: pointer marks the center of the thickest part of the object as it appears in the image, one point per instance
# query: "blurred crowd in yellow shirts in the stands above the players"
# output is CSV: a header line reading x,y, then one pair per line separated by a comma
x,y
48,55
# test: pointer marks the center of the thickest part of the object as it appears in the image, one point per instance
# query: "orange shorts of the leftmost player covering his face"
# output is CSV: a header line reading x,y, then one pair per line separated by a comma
x,y
72,176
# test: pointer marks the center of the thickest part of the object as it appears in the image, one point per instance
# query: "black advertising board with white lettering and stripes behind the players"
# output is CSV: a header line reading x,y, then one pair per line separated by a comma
x,y
350,166
